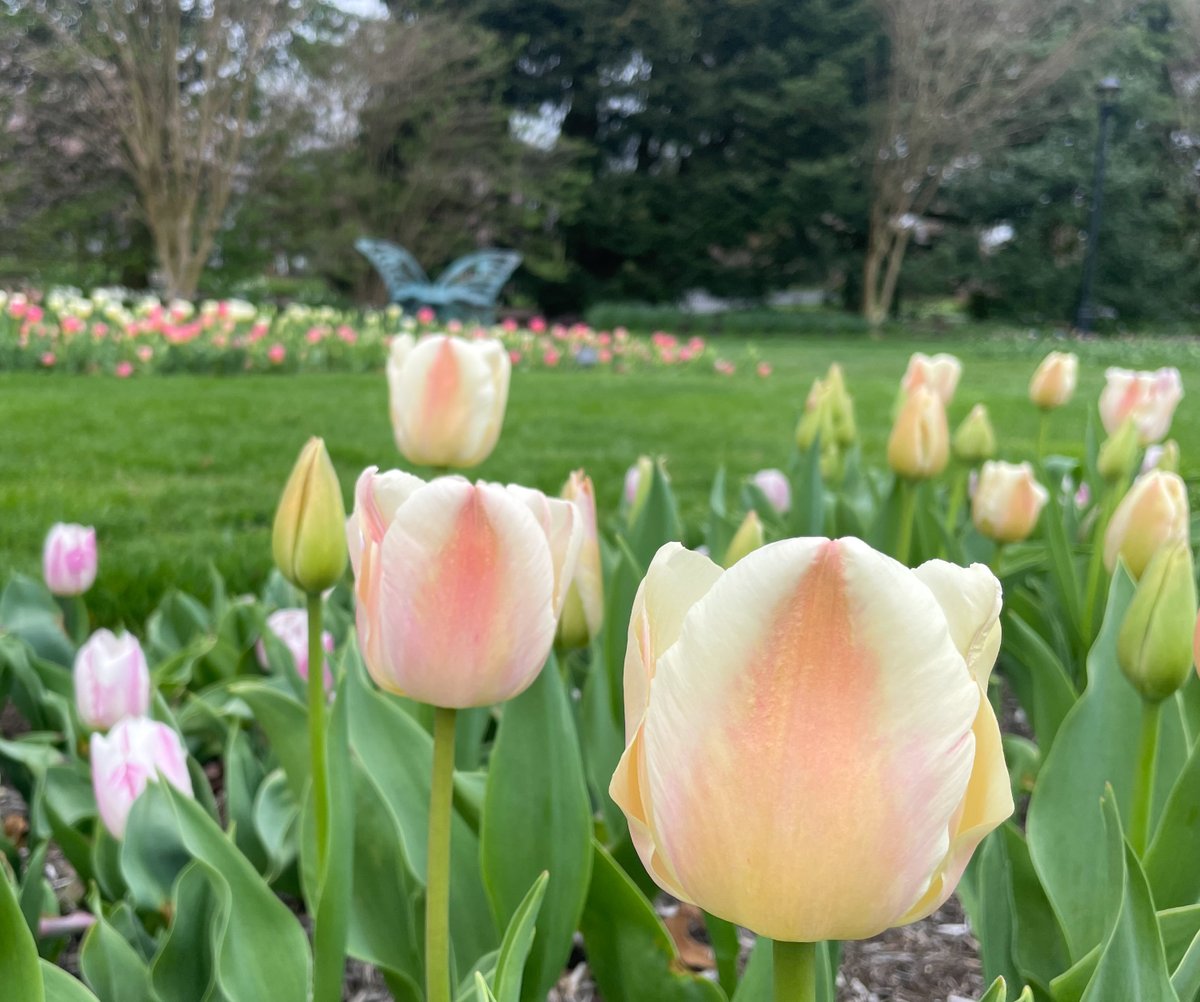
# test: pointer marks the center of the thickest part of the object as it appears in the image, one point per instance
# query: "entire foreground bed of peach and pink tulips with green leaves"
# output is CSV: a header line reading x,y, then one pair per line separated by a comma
x,y
875,685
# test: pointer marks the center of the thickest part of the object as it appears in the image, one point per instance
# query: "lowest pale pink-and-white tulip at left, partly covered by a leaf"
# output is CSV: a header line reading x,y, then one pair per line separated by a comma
x,y
136,752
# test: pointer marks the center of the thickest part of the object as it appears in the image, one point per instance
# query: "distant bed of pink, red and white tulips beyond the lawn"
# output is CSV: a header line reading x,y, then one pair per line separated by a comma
x,y
117,334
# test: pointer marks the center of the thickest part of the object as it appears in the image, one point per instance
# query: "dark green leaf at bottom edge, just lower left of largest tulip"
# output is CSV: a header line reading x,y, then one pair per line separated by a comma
x,y
629,950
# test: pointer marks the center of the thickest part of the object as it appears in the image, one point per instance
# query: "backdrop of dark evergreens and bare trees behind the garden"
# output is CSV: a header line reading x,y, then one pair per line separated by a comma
x,y
641,149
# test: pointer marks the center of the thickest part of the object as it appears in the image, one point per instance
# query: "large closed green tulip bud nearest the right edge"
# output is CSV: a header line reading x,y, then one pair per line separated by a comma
x,y
1155,644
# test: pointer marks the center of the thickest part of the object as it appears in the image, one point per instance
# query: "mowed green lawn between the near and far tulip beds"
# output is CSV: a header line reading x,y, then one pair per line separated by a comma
x,y
181,473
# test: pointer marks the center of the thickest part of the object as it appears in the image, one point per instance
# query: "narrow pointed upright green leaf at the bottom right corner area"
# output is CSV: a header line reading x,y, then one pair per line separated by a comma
x,y
1132,963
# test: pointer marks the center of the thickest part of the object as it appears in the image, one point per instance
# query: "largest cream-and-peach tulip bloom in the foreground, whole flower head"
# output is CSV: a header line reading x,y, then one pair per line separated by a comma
x,y
811,751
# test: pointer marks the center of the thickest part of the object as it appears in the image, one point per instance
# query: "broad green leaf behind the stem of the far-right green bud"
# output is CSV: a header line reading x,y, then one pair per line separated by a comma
x,y
1096,747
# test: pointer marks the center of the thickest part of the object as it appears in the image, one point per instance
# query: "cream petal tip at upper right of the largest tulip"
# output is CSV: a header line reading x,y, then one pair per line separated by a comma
x,y
971,599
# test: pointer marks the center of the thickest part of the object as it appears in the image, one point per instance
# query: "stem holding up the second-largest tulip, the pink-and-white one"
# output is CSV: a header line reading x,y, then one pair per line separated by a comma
x,y
437,885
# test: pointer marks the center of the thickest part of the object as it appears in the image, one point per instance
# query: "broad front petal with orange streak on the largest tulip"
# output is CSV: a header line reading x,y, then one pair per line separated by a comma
x,y
815,681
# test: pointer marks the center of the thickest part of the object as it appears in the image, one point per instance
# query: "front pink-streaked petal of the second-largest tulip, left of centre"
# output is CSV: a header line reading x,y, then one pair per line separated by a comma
x,y
466,584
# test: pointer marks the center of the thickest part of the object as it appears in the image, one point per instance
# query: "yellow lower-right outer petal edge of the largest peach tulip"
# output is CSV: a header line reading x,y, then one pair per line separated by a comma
x,y
988,803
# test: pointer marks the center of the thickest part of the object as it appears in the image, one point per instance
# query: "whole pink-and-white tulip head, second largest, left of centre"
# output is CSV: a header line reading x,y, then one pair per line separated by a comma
x,y
459,585
